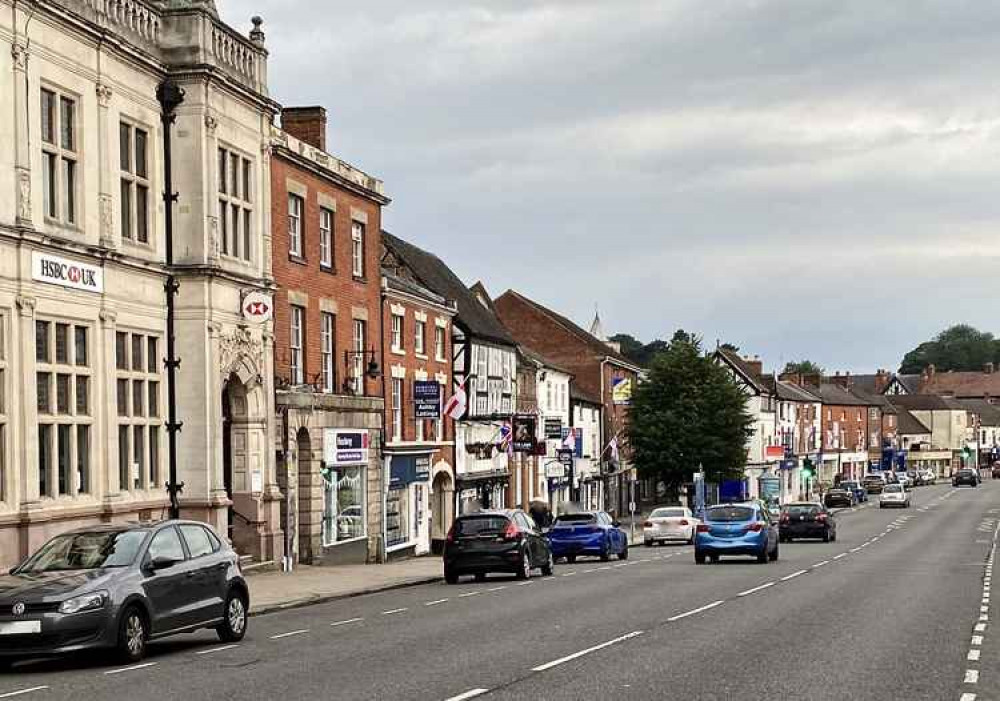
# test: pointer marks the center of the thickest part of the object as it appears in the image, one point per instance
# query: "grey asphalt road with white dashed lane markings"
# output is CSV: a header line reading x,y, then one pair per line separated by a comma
x,y
897,608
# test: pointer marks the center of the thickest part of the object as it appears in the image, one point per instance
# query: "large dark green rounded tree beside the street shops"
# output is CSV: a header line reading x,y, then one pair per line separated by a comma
x,y
688,412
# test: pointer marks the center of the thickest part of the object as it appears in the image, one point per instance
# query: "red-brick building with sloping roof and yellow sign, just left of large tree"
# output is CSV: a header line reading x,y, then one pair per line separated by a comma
x,y
597,367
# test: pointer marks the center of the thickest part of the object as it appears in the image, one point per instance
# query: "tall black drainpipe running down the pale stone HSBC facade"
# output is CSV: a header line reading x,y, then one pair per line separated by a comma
x,y
170,95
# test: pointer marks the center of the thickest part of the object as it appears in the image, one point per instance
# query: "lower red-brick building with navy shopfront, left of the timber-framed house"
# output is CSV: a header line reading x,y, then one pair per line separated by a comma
x,y
420,452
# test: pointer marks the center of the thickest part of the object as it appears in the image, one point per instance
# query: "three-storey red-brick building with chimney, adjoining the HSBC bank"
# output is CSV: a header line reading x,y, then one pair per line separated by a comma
x,y
326,246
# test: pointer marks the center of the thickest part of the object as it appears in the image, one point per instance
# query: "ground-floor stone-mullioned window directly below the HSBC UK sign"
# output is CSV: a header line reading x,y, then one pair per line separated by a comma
x,y
62,385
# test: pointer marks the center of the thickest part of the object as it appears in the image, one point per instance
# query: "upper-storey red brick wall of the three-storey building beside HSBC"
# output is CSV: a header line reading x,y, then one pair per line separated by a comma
x,y
305,276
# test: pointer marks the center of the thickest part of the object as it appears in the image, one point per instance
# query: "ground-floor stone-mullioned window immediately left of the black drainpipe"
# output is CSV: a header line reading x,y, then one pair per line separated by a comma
x,y
138,398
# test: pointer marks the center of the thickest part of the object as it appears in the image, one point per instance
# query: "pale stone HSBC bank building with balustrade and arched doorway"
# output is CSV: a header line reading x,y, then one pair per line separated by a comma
x,y
83,267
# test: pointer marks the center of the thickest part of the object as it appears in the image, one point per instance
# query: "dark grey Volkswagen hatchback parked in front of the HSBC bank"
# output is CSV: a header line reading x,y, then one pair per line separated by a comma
x,y
120,586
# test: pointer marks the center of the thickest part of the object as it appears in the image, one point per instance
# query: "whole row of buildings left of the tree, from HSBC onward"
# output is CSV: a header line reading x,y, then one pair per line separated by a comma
x,y
201,314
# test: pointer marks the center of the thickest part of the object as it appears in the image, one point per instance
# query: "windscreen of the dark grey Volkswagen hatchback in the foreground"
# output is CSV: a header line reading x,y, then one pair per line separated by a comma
x,y
86,551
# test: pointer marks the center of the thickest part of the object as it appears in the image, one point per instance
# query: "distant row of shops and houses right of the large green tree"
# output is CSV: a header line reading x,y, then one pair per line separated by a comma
x,y
809,428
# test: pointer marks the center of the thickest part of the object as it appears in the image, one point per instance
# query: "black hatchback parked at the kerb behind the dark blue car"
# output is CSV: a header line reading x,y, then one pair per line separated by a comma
x,y
495,541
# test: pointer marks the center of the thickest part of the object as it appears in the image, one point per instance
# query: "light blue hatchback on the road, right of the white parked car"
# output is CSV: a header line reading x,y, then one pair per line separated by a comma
x,y
736,529
